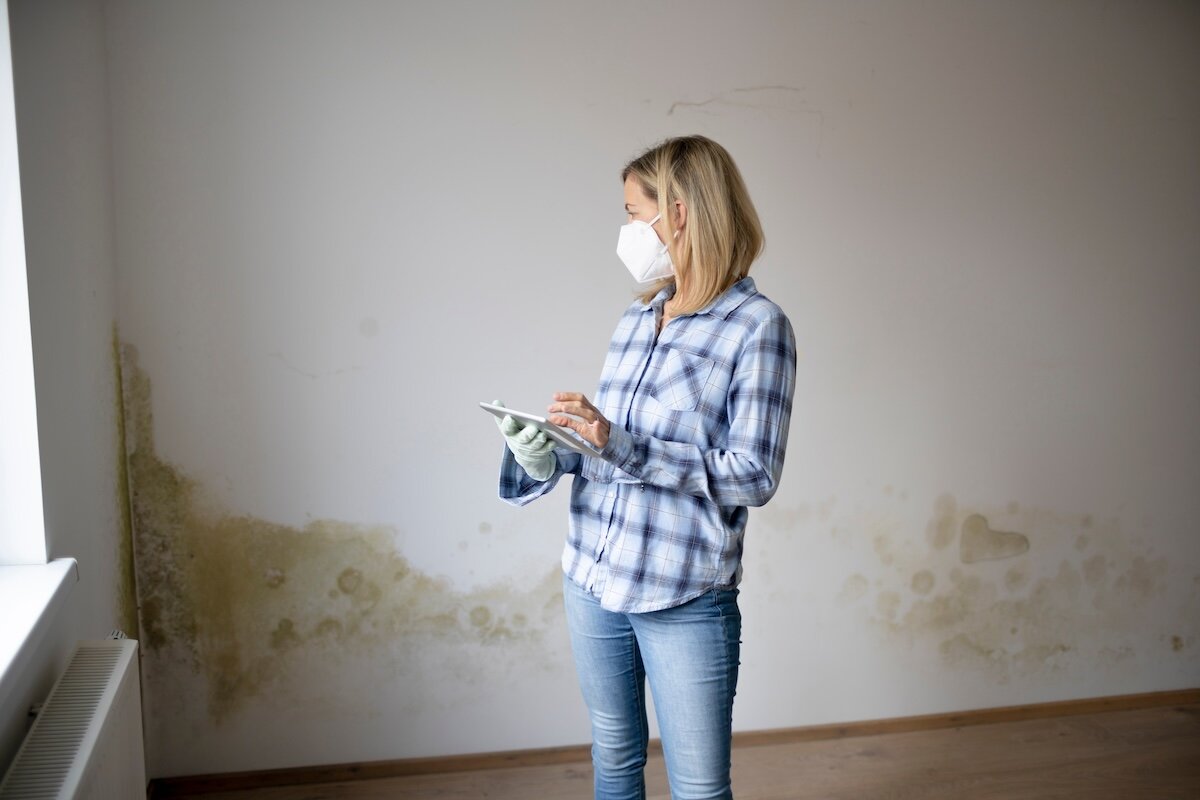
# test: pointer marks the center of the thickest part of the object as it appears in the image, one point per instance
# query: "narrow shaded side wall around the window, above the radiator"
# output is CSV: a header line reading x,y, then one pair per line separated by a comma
x,y
59,80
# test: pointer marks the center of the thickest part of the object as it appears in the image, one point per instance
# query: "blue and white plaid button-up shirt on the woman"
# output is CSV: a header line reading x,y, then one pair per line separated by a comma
x,y
700,419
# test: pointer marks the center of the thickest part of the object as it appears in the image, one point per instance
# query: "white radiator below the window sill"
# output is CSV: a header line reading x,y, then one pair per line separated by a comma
x,y
87,741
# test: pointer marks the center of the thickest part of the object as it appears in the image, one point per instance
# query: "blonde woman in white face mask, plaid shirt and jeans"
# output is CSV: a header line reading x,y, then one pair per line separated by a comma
x,y
691,422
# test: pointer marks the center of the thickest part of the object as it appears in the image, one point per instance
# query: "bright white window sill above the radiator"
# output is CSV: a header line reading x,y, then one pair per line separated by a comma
x,y
31,597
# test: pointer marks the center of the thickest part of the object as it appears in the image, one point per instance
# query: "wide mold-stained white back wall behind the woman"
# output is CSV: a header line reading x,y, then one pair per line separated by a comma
x,y
341,225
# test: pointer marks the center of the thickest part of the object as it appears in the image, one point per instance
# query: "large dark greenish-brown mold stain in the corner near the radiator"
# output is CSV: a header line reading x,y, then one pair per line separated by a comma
x,y
241,601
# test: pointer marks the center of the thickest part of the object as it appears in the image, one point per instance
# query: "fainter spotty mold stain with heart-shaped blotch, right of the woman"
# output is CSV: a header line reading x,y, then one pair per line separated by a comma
x,y
1025,592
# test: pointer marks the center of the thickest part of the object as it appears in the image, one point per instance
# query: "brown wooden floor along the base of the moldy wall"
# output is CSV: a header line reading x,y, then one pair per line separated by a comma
x,y
1139,755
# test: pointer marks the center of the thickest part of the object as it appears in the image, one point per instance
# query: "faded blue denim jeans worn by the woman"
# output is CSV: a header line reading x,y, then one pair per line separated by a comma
x,y
691,654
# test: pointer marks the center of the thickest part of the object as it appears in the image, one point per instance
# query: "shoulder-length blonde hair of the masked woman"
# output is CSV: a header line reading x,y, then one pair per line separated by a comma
x,y
723,236
